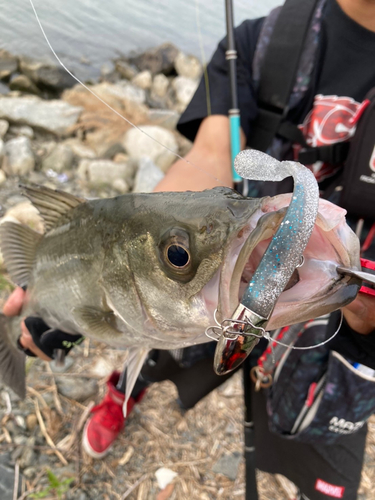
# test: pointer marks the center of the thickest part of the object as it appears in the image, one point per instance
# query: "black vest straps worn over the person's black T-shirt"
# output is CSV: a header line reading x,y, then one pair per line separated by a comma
x,y
286,49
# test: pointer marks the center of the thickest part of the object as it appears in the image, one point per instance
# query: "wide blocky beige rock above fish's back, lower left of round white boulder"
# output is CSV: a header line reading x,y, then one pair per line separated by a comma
x,y
100,173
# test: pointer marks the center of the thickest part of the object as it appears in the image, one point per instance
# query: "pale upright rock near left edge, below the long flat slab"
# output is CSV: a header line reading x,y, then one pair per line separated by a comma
x,y
19,158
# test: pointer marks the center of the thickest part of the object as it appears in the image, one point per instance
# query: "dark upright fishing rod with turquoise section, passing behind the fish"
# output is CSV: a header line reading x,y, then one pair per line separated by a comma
x,y
235,145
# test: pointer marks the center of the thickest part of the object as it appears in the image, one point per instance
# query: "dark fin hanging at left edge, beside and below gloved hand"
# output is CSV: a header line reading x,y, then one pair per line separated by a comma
x,y
12,361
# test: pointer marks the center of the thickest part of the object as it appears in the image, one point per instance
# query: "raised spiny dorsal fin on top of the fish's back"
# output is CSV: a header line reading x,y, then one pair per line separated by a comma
x,y
51,204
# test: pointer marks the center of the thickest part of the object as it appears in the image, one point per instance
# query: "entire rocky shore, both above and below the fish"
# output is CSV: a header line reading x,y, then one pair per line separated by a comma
x,y
55,132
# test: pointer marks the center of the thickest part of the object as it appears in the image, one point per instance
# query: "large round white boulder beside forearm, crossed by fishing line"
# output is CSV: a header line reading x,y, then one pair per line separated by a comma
x,y
139,145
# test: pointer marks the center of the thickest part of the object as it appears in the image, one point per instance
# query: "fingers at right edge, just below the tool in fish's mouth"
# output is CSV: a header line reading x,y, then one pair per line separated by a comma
x,y
360,314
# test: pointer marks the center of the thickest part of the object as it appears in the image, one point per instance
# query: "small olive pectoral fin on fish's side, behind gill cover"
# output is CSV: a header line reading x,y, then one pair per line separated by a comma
x,y
96,323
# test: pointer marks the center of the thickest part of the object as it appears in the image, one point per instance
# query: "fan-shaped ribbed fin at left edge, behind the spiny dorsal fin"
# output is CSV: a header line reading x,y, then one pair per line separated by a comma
x,y
18,244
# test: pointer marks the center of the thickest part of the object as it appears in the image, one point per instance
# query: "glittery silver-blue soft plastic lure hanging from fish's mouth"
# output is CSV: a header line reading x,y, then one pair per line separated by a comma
x,y
241,333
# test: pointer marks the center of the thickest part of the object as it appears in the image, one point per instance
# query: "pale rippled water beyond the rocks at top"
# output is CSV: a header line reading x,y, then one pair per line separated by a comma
x,y
88,33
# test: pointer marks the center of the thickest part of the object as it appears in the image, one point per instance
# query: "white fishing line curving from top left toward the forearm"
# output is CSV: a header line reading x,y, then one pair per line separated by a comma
x,y
110,107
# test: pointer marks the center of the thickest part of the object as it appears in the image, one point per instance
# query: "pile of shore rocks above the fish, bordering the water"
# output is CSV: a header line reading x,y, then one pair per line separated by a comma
x,y
55,131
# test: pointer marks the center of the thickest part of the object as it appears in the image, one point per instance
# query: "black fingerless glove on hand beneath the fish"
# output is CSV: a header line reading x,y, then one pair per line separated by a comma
x,y
48,339
